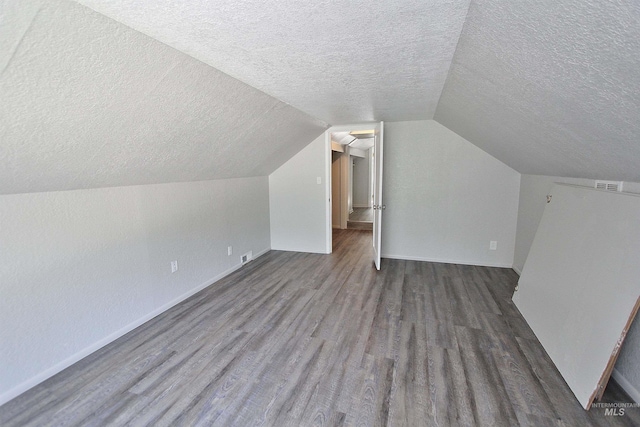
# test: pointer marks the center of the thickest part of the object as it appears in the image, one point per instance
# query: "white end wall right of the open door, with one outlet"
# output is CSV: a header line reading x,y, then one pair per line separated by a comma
x,y
445,198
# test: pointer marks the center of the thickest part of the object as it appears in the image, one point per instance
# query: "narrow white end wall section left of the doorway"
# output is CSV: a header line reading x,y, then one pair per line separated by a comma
x,y
298,203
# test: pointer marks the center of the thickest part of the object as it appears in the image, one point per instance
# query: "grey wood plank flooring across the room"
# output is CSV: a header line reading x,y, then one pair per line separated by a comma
x,y
297,339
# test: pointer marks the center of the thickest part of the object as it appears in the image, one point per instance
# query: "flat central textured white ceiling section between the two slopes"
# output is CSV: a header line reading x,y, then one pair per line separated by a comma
x,y
341,61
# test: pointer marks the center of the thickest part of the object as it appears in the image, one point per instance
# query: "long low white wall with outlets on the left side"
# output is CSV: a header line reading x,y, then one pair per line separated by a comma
x,y
80,268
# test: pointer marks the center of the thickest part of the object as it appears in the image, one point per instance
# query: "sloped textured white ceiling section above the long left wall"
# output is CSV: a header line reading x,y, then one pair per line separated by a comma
x,y
88,102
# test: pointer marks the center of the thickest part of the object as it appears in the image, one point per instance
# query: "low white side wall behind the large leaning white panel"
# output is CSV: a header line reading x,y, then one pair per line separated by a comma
x,y
533,191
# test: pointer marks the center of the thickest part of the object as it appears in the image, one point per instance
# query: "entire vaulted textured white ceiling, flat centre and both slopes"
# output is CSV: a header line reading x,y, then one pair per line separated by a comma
x,y
169,90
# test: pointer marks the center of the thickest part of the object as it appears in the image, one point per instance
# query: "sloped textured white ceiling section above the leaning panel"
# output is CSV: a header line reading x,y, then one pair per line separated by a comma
x,y
550,87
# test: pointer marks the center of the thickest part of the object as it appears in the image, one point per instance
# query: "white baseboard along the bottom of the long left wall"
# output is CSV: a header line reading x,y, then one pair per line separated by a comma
x,y
58,367
